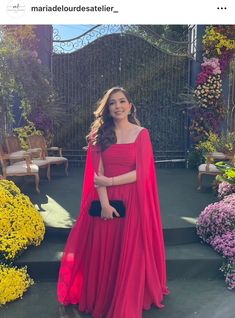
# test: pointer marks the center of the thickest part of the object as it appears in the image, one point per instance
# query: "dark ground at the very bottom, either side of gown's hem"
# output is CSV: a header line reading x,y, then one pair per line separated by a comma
x,y
188,298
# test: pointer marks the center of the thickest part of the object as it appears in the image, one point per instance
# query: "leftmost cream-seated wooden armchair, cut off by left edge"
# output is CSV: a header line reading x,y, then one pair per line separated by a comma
x,y
21,168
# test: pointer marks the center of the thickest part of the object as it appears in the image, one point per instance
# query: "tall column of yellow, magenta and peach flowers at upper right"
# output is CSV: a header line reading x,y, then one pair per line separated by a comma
x,y
219,47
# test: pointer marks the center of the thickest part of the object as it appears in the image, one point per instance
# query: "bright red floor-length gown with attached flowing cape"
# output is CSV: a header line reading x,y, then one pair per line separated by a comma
x,y
116,268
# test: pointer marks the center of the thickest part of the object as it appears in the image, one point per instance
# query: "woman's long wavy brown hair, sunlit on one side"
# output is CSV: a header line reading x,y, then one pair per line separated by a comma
x,y
102,131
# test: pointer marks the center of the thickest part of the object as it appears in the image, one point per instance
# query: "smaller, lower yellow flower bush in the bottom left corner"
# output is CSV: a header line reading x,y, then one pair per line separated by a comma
x,y
13,283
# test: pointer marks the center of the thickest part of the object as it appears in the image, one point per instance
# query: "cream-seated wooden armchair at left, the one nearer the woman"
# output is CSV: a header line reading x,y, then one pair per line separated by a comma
x,y
40,142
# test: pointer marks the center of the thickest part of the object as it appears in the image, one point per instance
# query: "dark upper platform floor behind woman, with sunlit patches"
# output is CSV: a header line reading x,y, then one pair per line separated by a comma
x,y
181,203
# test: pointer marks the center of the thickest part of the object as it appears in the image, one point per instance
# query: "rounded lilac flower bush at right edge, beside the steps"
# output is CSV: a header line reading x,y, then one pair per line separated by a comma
x,y
216,219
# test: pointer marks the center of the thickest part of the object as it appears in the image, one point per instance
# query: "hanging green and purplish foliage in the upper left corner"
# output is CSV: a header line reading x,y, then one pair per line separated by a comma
x,y
22,75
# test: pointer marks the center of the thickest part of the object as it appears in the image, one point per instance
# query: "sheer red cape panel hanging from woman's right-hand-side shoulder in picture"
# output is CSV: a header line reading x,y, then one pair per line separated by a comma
x,y
151,222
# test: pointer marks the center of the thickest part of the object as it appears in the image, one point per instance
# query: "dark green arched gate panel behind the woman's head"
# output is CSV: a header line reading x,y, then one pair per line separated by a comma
x,y
154,75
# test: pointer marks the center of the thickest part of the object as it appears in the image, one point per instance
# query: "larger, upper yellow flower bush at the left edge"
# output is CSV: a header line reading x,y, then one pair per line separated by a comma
x,y
21,224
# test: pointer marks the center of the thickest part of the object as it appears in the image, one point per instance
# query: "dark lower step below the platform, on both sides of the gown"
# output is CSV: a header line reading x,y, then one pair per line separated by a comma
x,y
184,261
